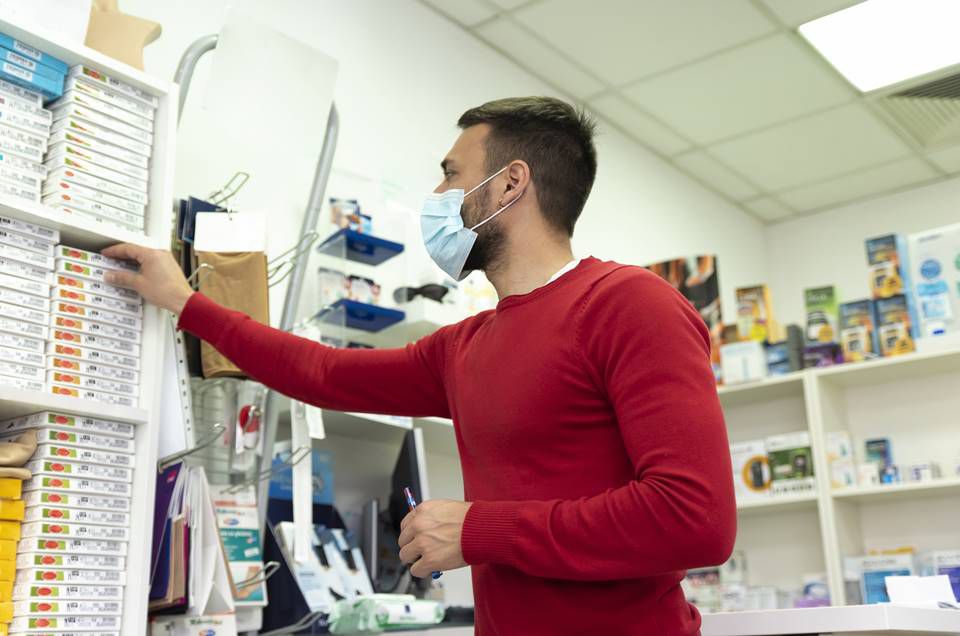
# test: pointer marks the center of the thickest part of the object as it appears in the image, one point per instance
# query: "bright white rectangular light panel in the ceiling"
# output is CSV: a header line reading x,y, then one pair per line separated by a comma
x,y
878,43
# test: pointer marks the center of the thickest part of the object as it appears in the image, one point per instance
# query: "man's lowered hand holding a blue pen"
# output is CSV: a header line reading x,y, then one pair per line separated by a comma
x,y
430,537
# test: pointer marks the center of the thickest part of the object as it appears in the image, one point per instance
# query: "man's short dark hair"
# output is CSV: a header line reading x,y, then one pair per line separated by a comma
x,y
556,141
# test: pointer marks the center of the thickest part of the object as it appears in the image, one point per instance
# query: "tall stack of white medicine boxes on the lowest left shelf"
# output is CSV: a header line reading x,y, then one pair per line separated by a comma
x,y
71,560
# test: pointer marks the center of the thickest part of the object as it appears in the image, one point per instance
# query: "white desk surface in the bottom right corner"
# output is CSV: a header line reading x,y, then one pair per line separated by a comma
x,y
853,620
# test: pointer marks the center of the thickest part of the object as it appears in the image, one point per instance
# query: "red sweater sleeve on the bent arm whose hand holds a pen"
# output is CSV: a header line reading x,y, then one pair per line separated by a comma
x,y
648,352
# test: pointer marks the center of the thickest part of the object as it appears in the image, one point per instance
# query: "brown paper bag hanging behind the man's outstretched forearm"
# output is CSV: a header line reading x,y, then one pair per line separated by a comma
x,y
238,281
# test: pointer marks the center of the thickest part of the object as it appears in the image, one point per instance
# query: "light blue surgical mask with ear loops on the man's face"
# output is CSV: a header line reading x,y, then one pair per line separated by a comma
x,y
447,240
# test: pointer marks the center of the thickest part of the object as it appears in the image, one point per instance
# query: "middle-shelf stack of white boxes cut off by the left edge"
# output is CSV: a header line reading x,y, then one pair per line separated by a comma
x,y
26,272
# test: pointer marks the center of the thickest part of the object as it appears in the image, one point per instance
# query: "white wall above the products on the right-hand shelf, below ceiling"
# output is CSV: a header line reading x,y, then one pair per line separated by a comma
x,y
828,248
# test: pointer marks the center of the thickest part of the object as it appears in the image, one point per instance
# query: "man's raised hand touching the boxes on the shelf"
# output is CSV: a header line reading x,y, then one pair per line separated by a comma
x,y
160,280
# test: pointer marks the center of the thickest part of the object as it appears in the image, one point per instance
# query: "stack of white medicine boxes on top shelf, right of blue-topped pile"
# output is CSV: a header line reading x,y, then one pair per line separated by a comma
x,y
99,151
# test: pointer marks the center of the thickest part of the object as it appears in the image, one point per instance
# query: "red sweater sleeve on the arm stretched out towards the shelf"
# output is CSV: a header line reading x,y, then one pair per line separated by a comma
x,y
406,381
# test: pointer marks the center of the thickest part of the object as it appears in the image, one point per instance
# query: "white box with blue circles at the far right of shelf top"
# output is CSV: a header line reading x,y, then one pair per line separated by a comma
x,y
935,269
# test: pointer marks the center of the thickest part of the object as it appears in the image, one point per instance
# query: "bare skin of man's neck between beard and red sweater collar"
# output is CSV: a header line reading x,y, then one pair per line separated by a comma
x,y
520,271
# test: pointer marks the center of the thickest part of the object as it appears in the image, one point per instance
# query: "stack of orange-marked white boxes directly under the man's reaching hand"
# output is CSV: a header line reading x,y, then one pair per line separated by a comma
x,y
94,351
